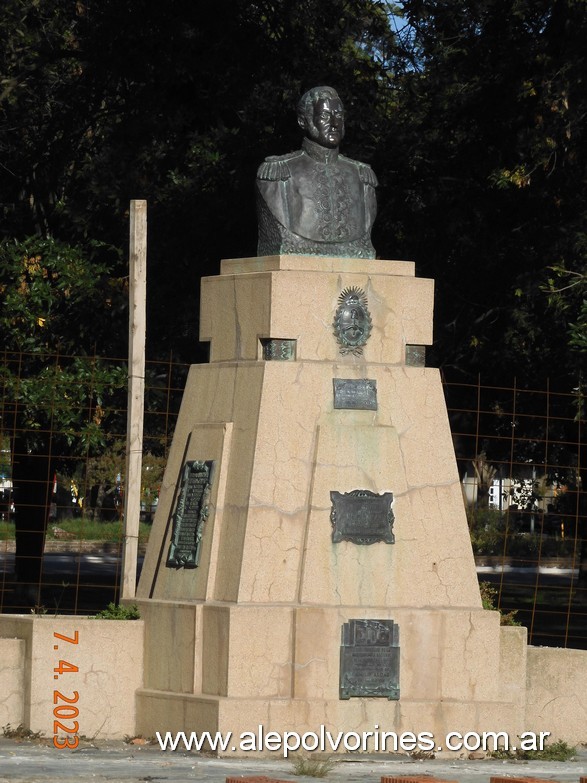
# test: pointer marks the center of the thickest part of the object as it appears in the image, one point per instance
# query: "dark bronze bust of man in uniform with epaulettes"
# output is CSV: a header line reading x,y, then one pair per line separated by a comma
x,y
315,201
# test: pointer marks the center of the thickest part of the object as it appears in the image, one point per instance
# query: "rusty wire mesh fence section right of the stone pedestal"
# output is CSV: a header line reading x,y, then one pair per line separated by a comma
x,y
521,456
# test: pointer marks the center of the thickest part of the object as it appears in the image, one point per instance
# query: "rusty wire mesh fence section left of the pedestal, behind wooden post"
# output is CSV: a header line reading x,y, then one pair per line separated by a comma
x,y
62,465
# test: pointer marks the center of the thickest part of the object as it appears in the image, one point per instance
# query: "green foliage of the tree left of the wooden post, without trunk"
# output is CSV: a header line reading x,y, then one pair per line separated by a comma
x,y
54,303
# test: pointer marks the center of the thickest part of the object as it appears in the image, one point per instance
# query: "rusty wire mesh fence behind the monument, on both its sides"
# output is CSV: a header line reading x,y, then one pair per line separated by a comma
x,y
520,453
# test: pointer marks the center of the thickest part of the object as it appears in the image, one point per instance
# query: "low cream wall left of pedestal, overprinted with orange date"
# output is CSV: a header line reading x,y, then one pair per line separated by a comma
x,y
76,670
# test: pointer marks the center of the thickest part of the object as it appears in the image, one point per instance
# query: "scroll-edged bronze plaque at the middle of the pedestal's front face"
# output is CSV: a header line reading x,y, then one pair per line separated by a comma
x,y
362,517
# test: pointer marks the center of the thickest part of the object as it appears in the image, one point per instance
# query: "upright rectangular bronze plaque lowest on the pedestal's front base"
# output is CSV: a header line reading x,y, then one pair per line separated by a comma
x,y
369,659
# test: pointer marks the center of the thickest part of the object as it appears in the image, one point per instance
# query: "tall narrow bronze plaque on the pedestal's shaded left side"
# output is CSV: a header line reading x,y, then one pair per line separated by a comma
x,y
190,514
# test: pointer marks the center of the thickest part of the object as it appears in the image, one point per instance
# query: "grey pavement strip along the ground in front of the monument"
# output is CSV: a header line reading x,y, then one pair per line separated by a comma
x,y
117,762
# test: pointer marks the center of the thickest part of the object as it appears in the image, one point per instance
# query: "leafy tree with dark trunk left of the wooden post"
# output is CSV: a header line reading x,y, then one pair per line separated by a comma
x,y
56,399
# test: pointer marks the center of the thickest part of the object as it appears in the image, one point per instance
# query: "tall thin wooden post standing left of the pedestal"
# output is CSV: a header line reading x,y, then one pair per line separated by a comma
x,y
136,394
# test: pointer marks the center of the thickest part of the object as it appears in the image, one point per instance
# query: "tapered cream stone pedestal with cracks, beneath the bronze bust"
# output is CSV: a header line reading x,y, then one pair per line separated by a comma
x,y
253,634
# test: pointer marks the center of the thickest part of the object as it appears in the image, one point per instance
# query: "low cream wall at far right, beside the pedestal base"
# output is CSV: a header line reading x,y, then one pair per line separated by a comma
x,y
557,693
